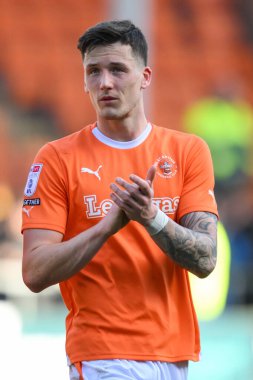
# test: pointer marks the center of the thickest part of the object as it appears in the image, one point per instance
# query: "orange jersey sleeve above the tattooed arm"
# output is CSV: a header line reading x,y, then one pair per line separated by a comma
x,y
198,184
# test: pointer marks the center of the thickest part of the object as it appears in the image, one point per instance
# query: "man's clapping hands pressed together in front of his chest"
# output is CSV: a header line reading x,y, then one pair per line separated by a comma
x,y
135,199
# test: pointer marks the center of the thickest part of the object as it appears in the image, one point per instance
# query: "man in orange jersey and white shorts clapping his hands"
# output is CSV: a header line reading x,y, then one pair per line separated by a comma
x,y
117,214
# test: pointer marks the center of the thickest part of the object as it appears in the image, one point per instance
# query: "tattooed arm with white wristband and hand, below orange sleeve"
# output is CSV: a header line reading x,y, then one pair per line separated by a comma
x,y
191,244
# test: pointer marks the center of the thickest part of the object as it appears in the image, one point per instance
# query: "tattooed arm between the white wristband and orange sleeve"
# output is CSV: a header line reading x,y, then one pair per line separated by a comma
x,y
193,243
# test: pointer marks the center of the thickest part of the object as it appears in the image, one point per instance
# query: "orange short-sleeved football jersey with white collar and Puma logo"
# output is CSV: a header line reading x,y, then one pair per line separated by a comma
x,y
131,301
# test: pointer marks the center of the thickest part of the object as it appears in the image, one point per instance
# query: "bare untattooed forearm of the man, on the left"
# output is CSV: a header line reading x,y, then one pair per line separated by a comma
x,y
49,264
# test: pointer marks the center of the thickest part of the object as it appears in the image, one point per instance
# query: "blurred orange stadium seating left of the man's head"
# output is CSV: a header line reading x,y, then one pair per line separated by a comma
x,y
41,60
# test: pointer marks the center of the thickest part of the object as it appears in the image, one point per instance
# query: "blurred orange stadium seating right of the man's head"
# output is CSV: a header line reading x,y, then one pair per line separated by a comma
x,y
216,49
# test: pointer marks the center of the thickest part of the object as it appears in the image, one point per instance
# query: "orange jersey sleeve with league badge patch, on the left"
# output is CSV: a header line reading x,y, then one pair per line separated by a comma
x,y
45,204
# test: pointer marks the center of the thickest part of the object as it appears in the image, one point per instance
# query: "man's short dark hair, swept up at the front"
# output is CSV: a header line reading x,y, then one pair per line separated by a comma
x,y
109,32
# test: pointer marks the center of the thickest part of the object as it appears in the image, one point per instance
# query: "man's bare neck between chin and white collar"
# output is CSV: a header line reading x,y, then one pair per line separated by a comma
x,y
122,130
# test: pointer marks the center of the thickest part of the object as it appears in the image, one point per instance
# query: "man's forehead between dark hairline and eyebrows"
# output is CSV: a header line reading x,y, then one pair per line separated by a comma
x,y
116,52
